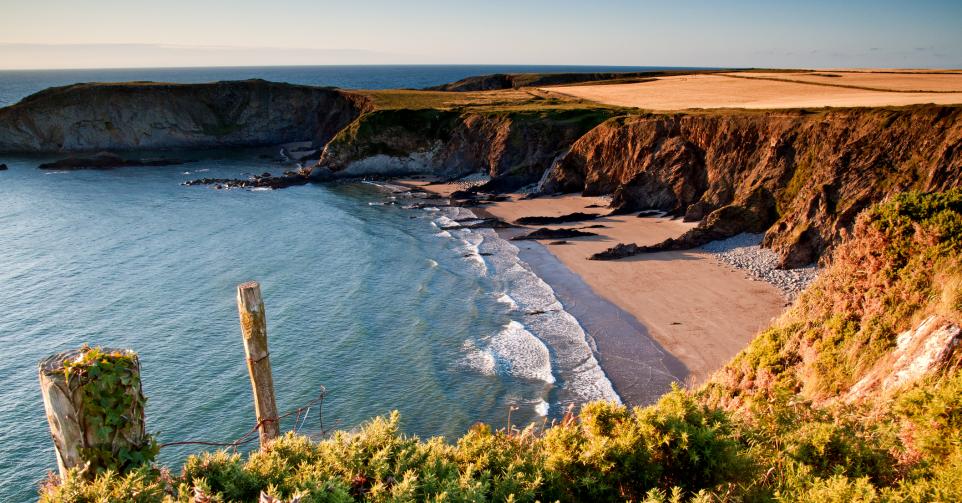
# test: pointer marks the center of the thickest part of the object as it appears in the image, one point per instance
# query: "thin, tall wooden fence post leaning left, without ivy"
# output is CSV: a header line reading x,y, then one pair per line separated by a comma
x,y
250,307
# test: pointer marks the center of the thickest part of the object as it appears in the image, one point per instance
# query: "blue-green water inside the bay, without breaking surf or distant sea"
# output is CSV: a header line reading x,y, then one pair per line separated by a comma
x,y
355,302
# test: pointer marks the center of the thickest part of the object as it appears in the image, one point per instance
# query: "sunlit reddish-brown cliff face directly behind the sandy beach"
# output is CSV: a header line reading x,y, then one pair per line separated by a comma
x,y
800,176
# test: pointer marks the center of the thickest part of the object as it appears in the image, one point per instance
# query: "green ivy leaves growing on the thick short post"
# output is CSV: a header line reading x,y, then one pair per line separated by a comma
x,y
111,398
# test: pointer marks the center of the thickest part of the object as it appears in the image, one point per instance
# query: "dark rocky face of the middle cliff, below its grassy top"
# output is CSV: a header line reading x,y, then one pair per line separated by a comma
x,y
514,147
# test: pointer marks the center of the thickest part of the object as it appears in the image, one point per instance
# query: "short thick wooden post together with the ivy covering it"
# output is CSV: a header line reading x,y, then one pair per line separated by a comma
x,y
95,409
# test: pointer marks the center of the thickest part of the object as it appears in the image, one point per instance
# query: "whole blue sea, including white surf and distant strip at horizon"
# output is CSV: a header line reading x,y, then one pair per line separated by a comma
x,y
376,301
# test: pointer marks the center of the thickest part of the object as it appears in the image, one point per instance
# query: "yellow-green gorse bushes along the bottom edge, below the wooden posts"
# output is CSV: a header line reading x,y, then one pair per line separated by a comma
x,y
608,453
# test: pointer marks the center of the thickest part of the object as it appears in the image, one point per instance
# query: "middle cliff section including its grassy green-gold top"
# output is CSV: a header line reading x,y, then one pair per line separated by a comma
x,y
511,135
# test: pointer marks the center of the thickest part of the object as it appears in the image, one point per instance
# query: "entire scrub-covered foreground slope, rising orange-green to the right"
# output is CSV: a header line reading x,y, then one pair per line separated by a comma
x,y
789,419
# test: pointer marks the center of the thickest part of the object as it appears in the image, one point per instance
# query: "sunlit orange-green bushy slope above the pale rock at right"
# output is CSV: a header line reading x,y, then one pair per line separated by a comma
x,y
901,264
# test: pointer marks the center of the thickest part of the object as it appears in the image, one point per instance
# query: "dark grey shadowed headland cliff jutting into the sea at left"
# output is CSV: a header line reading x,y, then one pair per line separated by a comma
x,y
128,116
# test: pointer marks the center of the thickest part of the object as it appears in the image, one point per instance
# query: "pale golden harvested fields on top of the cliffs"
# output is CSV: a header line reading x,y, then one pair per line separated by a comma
x,y
769,90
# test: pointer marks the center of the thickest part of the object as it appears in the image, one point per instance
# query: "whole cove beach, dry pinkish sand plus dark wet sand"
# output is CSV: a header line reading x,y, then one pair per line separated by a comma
x,y
699,311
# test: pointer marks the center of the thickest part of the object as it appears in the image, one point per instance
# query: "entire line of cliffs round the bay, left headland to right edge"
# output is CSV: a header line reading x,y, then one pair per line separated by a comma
x,y
800,176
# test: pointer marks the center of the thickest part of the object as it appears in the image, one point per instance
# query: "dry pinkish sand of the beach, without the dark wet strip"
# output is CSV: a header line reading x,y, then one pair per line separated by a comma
x,y
701,311
